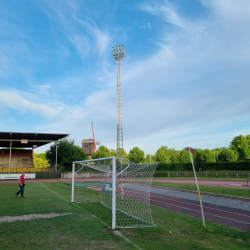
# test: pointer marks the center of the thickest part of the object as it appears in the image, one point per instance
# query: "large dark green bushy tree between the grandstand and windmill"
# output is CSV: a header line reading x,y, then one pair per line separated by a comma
x,y
67,153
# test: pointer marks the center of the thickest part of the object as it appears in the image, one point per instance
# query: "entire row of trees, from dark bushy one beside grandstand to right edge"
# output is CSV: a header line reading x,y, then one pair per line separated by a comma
x,y
238,150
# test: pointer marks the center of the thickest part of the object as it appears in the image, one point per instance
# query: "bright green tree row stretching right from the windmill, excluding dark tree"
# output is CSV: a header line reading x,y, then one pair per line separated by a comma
x,y
238,150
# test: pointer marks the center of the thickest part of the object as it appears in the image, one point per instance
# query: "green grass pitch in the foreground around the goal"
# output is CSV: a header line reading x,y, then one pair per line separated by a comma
x,y
85,227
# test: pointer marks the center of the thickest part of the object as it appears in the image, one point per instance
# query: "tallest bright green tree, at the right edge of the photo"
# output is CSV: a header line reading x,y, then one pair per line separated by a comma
x,y
241,144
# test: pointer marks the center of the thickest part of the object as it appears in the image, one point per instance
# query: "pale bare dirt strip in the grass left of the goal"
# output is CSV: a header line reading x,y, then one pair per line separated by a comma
x,y
30,217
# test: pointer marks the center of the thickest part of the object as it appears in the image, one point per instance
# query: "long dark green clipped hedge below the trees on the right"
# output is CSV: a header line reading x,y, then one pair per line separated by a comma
x,y
206,166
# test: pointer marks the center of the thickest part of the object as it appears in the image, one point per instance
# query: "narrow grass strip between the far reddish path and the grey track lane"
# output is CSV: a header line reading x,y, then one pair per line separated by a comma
x,y
238,192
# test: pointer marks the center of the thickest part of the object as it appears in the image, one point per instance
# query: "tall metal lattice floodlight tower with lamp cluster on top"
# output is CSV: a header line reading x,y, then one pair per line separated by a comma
x,y
118,54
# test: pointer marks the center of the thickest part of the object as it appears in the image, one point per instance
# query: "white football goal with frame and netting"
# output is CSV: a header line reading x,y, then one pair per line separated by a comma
x,y
119,185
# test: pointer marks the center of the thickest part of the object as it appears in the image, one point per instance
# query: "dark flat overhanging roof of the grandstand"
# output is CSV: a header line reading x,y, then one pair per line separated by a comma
x,y
28,140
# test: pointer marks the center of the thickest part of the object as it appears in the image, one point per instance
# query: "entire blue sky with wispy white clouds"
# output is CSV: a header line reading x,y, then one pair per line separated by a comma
x,y
185,80
